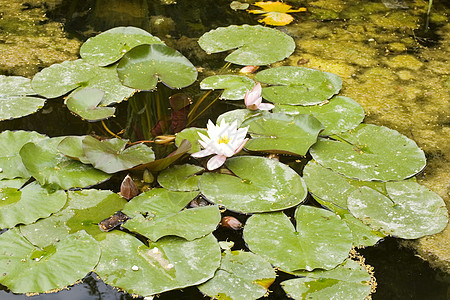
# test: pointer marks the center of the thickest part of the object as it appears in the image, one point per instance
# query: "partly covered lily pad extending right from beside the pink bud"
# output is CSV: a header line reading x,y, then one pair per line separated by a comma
x,y
339,115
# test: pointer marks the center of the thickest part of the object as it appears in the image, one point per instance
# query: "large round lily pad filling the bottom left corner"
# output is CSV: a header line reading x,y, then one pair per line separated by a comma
x,y
27,269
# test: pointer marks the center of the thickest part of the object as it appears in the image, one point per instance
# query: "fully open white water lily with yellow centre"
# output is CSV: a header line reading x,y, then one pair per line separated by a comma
x,y
224,140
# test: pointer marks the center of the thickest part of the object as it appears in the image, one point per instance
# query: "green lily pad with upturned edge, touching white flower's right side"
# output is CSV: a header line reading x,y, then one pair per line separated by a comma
x,y
281,133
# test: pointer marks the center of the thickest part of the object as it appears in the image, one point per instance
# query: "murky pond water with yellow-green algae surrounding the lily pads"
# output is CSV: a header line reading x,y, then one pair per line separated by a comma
x,y
391,56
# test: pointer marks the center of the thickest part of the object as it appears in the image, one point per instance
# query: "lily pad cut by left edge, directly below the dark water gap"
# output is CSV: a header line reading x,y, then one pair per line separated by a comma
x,y
10,160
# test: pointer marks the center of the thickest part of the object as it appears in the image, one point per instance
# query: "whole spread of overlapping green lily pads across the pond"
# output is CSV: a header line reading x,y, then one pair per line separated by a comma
x,y
360,175
